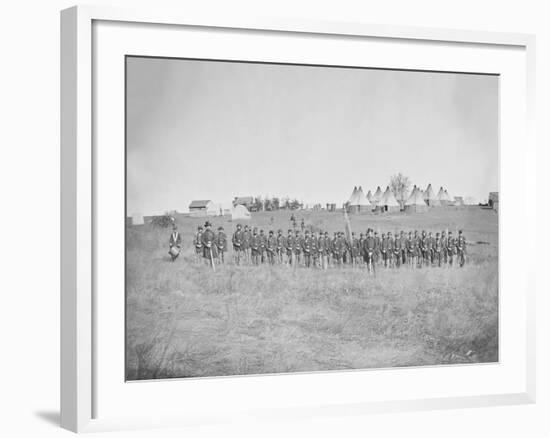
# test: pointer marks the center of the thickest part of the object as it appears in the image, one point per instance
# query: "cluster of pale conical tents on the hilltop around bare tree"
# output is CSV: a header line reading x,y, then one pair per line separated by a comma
x,y
417,200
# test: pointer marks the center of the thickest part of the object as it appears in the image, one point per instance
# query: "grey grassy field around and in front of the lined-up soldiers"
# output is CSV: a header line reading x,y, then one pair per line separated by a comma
x,y
183,320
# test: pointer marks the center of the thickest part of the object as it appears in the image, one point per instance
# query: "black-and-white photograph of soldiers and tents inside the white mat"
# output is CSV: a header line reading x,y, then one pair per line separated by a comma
x,y
287,218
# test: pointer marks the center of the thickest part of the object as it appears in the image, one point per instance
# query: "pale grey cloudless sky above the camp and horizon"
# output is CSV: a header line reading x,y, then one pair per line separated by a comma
x,y
216,130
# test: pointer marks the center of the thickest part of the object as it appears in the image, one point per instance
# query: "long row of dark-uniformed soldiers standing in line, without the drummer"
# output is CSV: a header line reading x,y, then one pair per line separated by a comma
x,y
318,249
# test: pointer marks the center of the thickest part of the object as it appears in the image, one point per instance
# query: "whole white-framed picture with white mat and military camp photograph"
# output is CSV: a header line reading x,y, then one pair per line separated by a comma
x,y
274,219
